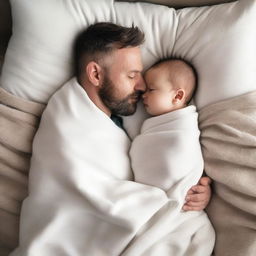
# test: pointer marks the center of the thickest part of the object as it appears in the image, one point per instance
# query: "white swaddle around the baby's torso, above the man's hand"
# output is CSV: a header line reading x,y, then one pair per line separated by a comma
x,y
168,150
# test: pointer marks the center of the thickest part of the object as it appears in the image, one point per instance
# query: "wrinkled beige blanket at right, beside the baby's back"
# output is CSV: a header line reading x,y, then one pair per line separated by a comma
x,y
229,147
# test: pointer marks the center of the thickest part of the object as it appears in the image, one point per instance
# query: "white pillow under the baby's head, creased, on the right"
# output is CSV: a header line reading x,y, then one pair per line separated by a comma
x,y
218,40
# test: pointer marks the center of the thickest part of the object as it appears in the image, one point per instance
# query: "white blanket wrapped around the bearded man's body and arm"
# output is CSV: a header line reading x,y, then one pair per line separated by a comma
x,y
81,198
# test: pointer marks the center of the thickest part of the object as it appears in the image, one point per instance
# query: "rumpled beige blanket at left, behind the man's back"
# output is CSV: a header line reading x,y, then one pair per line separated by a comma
x,y
18,123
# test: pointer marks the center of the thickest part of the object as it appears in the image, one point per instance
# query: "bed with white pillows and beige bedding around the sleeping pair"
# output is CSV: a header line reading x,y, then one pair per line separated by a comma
x,y
219,39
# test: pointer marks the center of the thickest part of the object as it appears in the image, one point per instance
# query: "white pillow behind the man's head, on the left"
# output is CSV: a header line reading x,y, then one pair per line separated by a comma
x,y
39,55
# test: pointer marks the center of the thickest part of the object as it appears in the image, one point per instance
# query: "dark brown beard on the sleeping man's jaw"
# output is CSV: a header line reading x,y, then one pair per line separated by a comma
x,y
115,105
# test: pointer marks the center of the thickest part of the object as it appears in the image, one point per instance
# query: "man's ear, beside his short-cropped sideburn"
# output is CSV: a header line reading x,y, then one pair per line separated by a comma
x,y
94,73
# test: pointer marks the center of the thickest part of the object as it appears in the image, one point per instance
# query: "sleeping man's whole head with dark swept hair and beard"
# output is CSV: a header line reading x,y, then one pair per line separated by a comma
x,y
108,66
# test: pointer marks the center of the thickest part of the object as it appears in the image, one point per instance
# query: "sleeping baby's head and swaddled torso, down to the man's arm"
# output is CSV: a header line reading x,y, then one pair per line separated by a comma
x,y
173,127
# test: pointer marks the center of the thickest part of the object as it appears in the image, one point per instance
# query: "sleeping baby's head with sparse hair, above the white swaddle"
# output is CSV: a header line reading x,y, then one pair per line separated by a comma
x,y
170,86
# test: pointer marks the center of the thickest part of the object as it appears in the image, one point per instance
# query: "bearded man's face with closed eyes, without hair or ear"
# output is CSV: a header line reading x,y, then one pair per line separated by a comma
x,y
123,84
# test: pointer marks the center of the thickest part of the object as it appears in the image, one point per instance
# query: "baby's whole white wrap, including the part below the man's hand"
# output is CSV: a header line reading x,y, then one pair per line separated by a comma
x,y
167,155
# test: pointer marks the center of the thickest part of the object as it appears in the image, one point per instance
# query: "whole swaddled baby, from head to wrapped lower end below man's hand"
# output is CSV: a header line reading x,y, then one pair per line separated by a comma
x,y
167,154
